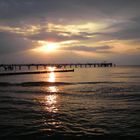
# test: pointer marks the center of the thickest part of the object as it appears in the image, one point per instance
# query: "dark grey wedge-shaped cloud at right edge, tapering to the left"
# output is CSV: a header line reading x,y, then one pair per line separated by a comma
x,y
126,30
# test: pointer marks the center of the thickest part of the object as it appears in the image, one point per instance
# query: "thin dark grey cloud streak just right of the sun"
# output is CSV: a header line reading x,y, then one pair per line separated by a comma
x,y
99,49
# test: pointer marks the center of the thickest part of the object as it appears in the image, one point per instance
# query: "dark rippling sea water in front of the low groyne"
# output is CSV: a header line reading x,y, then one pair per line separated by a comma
x,y
86,103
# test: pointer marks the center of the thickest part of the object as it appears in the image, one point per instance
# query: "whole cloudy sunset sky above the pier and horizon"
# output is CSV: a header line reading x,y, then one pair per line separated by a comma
x,y
65,31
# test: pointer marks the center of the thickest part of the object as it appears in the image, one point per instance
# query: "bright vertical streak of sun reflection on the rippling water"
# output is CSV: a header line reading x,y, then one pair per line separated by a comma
x,y
50,103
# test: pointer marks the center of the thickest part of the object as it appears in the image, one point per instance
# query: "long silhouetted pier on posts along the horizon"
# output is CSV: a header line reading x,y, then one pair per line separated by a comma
x,y
10,67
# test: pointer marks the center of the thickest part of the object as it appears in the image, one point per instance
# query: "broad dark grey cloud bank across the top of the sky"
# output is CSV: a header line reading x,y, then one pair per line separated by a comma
x,y
68,9
